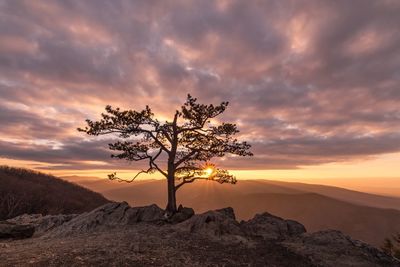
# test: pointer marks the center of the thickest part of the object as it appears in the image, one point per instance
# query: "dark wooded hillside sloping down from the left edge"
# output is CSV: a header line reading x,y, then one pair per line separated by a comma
x,y
25,191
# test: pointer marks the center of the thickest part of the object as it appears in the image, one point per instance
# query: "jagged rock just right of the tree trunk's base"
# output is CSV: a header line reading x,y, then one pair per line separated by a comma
x,y
215,224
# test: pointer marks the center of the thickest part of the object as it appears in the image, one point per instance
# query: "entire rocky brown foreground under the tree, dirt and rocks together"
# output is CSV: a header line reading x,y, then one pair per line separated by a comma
x,y
118,235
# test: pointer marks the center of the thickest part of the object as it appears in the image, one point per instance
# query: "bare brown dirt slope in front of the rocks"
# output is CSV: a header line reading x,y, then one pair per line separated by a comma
x,y
143,245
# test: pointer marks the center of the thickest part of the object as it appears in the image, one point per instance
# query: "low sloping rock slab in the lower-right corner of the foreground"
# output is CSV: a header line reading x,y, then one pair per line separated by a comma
x,y
332,248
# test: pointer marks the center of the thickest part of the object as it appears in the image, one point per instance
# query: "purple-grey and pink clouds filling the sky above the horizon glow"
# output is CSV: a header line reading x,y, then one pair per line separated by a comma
x,y
310,83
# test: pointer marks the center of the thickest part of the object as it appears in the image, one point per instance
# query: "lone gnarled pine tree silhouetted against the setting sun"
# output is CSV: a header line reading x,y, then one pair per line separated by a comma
x,y
189,142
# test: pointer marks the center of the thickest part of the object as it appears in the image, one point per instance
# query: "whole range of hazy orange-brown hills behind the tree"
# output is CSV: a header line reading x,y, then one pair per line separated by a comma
x,y
364,216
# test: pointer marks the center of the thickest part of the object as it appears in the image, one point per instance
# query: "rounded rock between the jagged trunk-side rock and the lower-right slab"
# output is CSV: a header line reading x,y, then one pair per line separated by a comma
x,y
268,226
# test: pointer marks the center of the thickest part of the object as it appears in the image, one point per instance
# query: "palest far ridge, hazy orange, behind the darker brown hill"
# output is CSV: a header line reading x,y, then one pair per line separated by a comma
x,y
111,188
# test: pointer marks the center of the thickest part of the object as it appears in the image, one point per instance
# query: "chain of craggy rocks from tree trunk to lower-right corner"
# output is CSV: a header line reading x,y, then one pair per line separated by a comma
x,y
327,248
